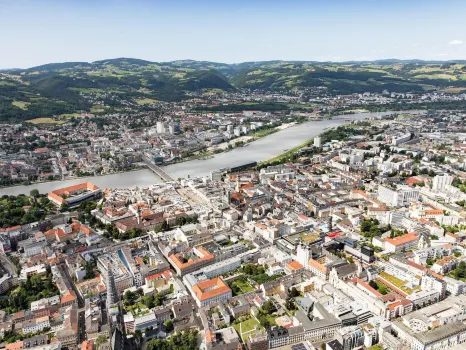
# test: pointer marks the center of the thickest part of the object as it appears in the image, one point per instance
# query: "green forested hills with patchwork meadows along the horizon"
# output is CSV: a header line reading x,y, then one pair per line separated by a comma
x,y
71,87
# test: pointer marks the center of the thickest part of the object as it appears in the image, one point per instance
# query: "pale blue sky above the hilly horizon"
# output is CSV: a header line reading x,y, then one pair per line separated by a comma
x,y
34,32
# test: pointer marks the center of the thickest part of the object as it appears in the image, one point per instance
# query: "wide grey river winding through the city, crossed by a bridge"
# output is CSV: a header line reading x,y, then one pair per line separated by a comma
x,y
262,149
